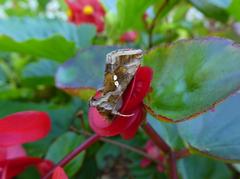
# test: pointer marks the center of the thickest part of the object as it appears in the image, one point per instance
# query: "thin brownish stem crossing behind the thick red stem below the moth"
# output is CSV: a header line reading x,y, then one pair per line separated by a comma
x,y
119,144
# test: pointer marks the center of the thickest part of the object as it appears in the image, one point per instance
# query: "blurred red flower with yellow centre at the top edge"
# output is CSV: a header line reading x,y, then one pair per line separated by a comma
x,y
87,11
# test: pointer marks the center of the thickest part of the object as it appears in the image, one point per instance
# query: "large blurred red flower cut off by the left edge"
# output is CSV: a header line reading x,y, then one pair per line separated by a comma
x,y
17,129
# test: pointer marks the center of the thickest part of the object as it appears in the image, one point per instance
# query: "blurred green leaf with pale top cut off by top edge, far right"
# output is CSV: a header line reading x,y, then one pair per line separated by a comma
x,y
213,8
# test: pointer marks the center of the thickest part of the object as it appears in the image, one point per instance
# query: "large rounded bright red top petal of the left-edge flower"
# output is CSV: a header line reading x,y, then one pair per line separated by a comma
x,y
23,127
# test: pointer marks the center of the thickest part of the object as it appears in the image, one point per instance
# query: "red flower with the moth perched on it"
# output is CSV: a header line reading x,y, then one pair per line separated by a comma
x,y
132,104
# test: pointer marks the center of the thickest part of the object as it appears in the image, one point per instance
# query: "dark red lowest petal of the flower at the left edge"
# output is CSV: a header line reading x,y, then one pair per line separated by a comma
x,y
18,165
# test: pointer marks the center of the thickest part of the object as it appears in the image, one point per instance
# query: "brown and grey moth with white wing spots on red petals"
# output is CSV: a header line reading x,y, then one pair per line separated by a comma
x,y
121,66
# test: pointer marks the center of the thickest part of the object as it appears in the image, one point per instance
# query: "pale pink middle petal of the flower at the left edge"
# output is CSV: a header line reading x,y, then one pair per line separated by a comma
x,y
12,152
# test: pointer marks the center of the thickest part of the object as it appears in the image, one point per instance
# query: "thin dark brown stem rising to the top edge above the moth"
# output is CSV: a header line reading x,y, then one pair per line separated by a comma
x,y
154,21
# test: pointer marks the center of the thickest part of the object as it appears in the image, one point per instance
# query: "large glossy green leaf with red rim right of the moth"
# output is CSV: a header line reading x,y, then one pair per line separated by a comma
x,y
191,76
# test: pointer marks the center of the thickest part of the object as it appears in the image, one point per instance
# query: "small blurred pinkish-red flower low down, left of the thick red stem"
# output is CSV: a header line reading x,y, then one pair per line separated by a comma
x,y
155,153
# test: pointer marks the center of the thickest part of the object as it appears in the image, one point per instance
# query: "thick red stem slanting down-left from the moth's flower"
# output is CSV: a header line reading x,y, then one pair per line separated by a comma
x,y
91,140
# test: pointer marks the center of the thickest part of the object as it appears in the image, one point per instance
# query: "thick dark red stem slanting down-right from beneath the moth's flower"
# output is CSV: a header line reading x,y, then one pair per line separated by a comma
x,y
156,138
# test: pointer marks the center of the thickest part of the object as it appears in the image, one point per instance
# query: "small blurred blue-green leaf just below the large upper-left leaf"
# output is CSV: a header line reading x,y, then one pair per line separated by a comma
x,y
40,72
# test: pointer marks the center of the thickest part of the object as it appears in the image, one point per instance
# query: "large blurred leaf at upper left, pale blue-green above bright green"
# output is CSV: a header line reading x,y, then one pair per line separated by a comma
x,y
53,39
